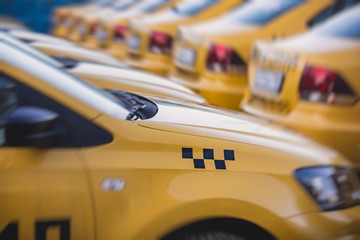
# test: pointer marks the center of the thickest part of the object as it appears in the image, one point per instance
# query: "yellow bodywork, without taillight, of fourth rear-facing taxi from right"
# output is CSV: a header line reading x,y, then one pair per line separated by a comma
x,y
108,24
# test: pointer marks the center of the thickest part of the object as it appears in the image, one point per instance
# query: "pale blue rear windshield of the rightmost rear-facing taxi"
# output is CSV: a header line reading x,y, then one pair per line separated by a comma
x,y
345,24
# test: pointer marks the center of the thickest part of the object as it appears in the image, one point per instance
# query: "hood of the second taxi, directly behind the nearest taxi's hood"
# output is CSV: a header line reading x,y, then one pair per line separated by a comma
x,y
128,79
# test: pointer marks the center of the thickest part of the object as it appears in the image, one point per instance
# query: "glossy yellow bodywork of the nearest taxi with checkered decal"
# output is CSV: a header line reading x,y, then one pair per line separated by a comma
x,y
162,190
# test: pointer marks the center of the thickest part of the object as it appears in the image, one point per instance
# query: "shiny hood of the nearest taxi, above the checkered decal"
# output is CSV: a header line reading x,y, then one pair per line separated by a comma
x,y
232,126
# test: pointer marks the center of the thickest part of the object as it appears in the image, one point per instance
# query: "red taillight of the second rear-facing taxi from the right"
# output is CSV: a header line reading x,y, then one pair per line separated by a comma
x,y
222,59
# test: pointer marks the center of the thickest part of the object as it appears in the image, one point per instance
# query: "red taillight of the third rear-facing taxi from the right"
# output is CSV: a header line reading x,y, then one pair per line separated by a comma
x,y
160,43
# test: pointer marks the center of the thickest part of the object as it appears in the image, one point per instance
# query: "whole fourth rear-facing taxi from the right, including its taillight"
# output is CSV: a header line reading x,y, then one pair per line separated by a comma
x,y
111,30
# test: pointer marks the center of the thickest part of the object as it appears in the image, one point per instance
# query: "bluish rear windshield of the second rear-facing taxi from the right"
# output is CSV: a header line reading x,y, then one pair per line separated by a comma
x,y
261,11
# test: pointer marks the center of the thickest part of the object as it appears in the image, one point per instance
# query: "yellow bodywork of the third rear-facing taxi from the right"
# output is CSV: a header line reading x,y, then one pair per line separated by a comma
x,y
166,22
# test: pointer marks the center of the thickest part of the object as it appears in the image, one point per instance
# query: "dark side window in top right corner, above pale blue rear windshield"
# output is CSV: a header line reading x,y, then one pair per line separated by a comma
x,y
332,10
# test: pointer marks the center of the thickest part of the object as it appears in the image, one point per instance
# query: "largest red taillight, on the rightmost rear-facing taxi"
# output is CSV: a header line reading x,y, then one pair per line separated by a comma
x,y
323,85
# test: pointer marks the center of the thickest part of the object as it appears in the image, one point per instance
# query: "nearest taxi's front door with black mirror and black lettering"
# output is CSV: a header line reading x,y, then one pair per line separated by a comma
x,y
44,192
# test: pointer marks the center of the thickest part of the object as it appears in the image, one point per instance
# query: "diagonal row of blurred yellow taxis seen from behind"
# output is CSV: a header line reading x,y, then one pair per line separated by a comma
x,y
241,55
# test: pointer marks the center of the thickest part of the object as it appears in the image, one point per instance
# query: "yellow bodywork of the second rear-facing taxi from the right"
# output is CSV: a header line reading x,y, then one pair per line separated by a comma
x,y
227,89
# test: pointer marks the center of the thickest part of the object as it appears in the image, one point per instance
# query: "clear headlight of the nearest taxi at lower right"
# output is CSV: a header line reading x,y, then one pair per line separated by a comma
x,y
332,187
